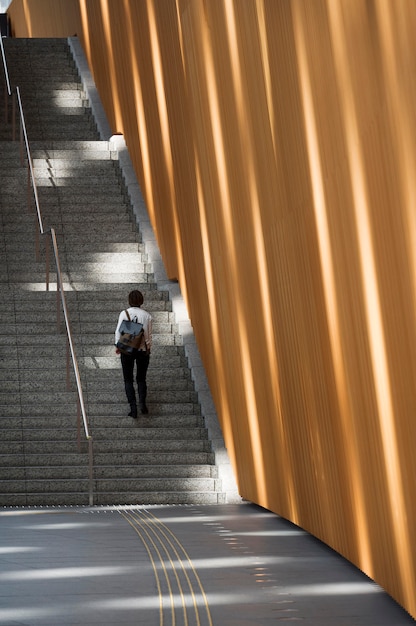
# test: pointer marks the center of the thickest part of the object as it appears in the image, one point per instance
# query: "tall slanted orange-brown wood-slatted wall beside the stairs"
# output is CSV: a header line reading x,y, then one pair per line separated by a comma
x,y
275,144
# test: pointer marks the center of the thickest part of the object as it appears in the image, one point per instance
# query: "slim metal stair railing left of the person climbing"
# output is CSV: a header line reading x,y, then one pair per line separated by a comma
x,y
50,236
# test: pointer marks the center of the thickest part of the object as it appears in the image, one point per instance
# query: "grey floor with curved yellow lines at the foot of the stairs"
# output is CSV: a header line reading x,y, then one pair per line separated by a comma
x,y
208,565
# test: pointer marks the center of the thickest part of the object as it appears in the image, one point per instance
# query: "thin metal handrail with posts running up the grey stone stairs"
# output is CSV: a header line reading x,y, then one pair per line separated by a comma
x,y
59,281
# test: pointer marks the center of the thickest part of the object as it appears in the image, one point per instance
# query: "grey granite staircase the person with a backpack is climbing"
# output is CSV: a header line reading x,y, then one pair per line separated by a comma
x,y
164,457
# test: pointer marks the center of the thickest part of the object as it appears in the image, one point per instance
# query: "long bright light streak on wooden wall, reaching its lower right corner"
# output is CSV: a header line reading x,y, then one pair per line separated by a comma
x,y
379,361
